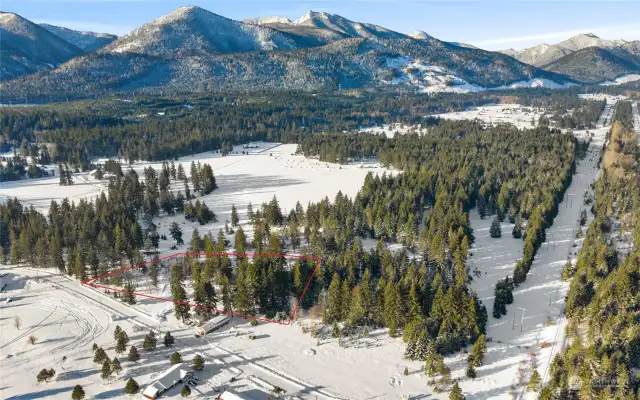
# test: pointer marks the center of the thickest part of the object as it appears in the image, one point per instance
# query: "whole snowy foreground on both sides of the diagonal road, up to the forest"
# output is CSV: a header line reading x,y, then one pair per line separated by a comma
x,y
68,318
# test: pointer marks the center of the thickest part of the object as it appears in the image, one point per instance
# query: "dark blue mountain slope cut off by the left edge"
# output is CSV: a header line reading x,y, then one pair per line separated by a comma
x,y
26,47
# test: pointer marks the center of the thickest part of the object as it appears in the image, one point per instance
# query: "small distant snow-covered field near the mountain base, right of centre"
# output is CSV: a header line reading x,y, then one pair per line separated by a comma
x,y
515,114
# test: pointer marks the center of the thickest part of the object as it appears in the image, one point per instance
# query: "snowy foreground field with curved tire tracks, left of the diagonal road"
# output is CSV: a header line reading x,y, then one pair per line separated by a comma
x,y
67,319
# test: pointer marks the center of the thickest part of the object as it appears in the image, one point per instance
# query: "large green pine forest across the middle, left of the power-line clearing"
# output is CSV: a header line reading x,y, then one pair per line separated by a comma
x,y
420,293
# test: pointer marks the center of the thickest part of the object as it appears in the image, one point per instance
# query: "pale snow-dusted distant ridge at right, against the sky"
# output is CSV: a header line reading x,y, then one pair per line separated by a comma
x,y
544,53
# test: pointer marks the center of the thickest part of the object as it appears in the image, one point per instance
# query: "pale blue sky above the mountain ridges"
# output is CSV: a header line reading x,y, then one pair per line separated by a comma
x,y
488,24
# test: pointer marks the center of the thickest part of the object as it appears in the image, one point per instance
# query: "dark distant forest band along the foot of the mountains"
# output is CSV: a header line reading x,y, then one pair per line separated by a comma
x,y
112,128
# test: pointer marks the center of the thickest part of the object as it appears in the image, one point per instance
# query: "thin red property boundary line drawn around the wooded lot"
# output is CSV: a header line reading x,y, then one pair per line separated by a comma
x,y
88,282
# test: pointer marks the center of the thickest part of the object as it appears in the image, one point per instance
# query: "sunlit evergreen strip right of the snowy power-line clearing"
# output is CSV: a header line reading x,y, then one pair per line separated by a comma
x,y
603,304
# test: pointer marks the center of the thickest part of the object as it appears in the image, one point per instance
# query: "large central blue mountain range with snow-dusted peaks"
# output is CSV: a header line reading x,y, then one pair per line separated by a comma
x,y
192,49
